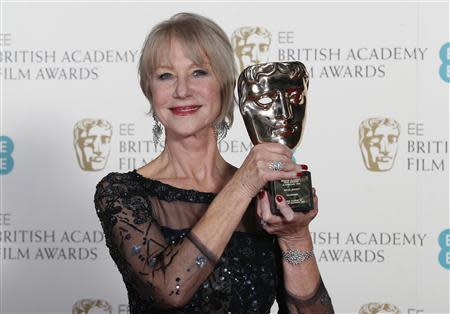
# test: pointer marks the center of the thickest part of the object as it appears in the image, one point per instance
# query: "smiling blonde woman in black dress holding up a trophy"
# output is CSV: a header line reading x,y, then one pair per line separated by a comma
x,y
184,230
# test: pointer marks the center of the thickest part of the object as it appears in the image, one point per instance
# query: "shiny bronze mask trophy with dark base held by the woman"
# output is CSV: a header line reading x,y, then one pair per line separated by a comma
x,y
272,101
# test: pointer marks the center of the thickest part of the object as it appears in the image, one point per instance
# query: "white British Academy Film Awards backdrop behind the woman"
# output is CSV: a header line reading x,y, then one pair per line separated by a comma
x,y
376,141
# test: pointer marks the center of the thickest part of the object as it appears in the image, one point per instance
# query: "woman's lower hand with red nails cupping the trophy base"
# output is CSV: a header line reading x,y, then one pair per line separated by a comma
x,y
289,225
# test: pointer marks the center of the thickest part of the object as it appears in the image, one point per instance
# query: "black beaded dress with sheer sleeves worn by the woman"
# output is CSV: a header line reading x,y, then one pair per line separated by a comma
x,y
166,269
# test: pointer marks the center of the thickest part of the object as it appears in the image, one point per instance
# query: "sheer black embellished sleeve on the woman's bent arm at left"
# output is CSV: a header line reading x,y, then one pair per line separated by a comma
x,y
166,274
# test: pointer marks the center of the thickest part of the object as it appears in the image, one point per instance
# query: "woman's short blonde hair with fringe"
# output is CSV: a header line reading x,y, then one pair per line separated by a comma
x,y
201,37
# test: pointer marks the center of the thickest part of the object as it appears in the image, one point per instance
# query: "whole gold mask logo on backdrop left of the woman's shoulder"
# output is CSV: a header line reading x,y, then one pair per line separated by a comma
x,y
91,138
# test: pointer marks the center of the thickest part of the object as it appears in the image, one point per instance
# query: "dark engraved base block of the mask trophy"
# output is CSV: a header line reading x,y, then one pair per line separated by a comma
x,y
297,193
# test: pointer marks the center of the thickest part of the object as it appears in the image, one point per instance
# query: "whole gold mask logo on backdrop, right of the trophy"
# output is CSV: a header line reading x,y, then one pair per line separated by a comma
x,y
378,140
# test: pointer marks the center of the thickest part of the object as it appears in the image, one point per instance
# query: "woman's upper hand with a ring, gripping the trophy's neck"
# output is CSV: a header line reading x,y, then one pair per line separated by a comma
x,y
255,172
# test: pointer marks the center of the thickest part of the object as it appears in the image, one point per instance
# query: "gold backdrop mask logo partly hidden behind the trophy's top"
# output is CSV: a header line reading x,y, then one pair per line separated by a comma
x,y
251,45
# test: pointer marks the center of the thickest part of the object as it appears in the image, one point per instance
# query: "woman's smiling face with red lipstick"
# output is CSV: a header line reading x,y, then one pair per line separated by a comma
x,y
185,95
